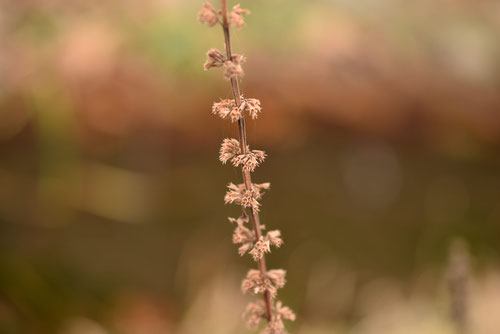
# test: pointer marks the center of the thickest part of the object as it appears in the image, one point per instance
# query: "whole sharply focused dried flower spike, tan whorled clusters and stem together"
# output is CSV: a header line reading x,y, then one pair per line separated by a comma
x,y
249,234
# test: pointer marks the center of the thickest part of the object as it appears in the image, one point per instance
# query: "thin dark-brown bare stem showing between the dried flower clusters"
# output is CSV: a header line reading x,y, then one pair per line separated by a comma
x,y
243,144
